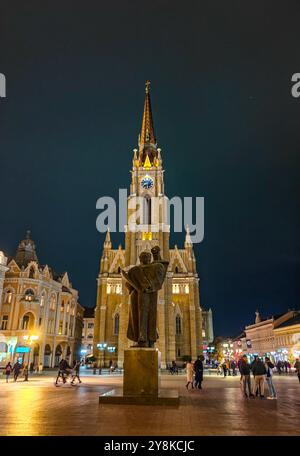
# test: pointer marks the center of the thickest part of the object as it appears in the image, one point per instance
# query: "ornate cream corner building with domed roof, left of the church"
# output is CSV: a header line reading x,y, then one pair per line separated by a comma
x,y
40,317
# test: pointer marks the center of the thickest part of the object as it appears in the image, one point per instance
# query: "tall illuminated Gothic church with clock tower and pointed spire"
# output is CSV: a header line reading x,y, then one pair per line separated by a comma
x,y
179,311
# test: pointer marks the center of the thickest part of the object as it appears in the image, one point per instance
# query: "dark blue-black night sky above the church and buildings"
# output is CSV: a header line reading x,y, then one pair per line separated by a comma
x,y
224,117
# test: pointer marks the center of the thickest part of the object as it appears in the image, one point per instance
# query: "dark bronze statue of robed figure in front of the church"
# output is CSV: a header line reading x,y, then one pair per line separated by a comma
x,y
143,283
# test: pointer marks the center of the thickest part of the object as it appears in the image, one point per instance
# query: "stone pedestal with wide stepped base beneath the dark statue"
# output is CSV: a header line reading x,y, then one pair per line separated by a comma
x,y
141,381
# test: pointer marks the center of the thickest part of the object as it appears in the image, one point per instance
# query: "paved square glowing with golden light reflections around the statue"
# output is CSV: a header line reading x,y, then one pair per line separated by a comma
x,y
40,408
